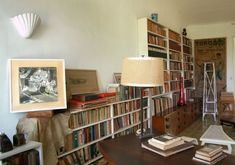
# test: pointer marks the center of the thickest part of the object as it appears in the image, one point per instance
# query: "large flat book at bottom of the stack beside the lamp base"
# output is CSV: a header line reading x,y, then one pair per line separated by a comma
x,y
168,152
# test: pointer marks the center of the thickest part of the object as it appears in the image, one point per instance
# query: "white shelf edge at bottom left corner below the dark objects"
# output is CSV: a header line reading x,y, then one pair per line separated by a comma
x,y
26,147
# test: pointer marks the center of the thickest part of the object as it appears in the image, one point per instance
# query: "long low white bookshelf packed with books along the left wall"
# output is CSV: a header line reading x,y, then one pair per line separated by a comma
x,y
91,125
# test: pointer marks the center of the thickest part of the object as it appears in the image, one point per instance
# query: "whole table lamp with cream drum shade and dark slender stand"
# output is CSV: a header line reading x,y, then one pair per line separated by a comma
x,y
143,72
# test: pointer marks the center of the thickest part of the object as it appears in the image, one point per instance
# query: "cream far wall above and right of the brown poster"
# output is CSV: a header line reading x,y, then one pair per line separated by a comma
x,y
218,30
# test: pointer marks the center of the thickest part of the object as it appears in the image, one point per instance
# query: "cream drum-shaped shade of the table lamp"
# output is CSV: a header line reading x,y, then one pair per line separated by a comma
x,y
142,72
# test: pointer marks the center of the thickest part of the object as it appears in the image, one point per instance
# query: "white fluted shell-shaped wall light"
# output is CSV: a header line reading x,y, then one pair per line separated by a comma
x,y
26,23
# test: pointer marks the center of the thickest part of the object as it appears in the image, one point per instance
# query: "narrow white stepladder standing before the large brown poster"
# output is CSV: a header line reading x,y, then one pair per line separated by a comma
x,y
209,91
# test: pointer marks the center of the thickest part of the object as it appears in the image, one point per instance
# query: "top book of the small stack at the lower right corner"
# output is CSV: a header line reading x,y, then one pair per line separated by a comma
x,y
209,150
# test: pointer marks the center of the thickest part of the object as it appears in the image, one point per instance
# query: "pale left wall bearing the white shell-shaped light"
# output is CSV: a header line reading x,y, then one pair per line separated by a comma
x,y
88,34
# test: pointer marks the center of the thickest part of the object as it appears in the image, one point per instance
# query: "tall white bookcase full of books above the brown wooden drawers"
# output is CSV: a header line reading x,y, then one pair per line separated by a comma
x,y
156,40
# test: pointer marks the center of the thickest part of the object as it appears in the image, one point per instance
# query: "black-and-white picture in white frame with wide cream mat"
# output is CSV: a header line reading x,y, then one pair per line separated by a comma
x,y
37,85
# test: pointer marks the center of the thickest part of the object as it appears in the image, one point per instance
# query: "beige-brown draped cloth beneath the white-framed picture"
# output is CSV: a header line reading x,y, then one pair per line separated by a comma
x,y
50,131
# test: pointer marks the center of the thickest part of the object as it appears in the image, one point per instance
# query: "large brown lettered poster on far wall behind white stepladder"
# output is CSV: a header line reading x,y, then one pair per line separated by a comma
x,y
210,50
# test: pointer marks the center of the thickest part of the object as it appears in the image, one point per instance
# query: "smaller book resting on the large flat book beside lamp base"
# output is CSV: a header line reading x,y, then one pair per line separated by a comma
x,y
165,139
